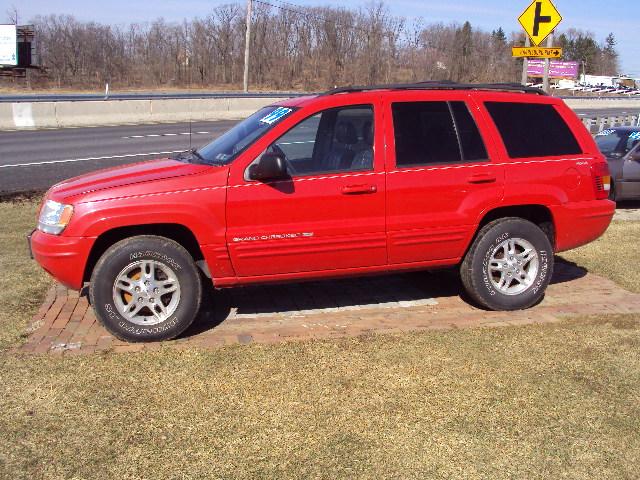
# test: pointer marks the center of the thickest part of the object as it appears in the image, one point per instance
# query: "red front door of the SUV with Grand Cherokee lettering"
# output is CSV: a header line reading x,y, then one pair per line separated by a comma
x,y
329,215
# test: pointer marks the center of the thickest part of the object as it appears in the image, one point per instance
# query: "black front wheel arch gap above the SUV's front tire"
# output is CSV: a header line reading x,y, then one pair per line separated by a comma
x,y
173,231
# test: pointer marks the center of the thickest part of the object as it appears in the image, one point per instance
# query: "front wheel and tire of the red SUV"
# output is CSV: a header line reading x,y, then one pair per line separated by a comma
x,y
146,289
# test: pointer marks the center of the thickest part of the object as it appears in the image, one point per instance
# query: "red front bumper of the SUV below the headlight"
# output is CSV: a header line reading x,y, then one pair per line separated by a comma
x,y
64,258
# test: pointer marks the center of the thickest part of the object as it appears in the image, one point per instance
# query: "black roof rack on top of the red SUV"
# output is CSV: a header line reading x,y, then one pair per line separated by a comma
x,y
439,85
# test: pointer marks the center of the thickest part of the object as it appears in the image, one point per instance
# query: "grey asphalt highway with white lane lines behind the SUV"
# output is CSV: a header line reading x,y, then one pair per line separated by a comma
x,y
36,159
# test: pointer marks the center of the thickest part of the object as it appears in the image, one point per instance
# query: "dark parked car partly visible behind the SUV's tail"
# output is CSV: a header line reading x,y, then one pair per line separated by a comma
x,y
621,147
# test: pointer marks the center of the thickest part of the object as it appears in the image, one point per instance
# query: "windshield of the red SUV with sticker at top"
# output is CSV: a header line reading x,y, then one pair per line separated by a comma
x,y
226,148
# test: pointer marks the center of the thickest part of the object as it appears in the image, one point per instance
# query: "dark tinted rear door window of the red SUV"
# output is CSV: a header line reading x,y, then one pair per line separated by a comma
x,y
435,132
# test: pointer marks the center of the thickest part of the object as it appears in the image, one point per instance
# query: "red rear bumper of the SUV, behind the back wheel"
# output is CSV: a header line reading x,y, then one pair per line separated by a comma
x,y
579,223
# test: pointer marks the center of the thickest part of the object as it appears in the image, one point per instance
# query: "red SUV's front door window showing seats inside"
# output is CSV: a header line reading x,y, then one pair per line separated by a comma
x,y
334,140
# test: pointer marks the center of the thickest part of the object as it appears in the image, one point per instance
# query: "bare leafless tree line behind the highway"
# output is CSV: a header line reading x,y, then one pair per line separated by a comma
x,y
307,48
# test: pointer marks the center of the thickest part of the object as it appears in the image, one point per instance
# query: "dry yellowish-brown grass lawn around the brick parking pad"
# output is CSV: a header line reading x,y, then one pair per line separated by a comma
x,y
544,401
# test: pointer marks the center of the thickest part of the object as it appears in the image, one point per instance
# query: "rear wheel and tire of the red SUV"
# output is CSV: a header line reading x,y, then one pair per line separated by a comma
x,y
494,279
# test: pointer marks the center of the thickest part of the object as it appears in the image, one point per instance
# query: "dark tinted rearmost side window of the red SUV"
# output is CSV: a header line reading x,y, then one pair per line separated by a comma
x,y
532,130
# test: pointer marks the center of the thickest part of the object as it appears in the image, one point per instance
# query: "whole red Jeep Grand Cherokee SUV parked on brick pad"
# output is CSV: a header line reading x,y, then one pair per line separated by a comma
x,y
493,178
